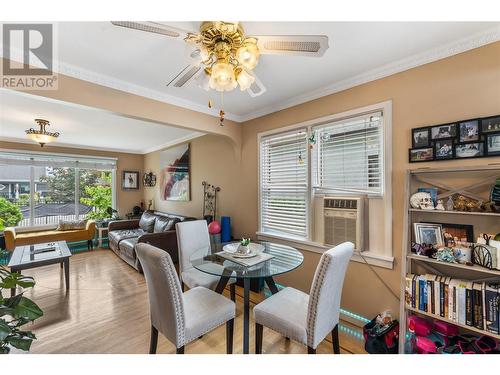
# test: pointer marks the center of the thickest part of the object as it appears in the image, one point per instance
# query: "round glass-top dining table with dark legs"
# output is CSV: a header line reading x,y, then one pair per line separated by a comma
x,y
283,259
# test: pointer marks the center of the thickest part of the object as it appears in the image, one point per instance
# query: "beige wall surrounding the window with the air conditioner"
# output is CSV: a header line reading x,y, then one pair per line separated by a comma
x,y
460,87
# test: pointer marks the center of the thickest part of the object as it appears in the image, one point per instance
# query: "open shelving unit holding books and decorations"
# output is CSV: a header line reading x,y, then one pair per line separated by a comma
x,y
473,181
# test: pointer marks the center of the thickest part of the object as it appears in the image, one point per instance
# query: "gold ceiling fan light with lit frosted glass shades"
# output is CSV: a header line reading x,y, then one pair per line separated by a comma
x,y
229,57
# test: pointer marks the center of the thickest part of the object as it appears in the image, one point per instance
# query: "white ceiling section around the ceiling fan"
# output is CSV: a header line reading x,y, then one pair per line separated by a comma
x,y
142,63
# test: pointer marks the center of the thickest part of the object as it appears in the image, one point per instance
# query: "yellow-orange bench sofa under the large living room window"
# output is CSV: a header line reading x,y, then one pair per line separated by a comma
x,y
32,235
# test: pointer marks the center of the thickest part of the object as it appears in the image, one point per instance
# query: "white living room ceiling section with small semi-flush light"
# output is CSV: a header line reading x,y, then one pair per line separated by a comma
x,y
83,126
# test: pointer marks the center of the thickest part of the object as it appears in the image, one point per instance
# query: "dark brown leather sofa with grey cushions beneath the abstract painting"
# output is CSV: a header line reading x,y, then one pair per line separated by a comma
x,y
154,227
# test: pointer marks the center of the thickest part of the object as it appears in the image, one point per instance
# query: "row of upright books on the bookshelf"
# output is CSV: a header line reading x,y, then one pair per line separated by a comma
x,y
465,302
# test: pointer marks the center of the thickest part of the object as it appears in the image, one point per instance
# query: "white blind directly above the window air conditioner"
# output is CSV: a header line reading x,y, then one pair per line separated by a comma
x,y
349,155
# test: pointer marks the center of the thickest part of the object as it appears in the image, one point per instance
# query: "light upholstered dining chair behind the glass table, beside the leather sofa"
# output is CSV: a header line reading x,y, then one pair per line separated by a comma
x,y
192,236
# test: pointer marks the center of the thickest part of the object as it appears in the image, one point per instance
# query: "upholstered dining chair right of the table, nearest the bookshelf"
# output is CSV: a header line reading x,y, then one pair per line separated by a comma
x,y
308,318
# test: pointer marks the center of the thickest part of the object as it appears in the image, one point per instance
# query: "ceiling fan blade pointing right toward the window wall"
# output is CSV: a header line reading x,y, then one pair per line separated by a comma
x,y
298,45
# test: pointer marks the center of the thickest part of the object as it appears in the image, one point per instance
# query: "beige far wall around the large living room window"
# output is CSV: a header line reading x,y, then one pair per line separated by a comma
x,y
125,199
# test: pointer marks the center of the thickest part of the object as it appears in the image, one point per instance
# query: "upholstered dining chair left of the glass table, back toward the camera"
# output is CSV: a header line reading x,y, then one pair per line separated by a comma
x,y
181,317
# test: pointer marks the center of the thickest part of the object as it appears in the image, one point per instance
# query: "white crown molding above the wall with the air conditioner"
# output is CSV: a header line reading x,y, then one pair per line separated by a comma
x,y
475,41
